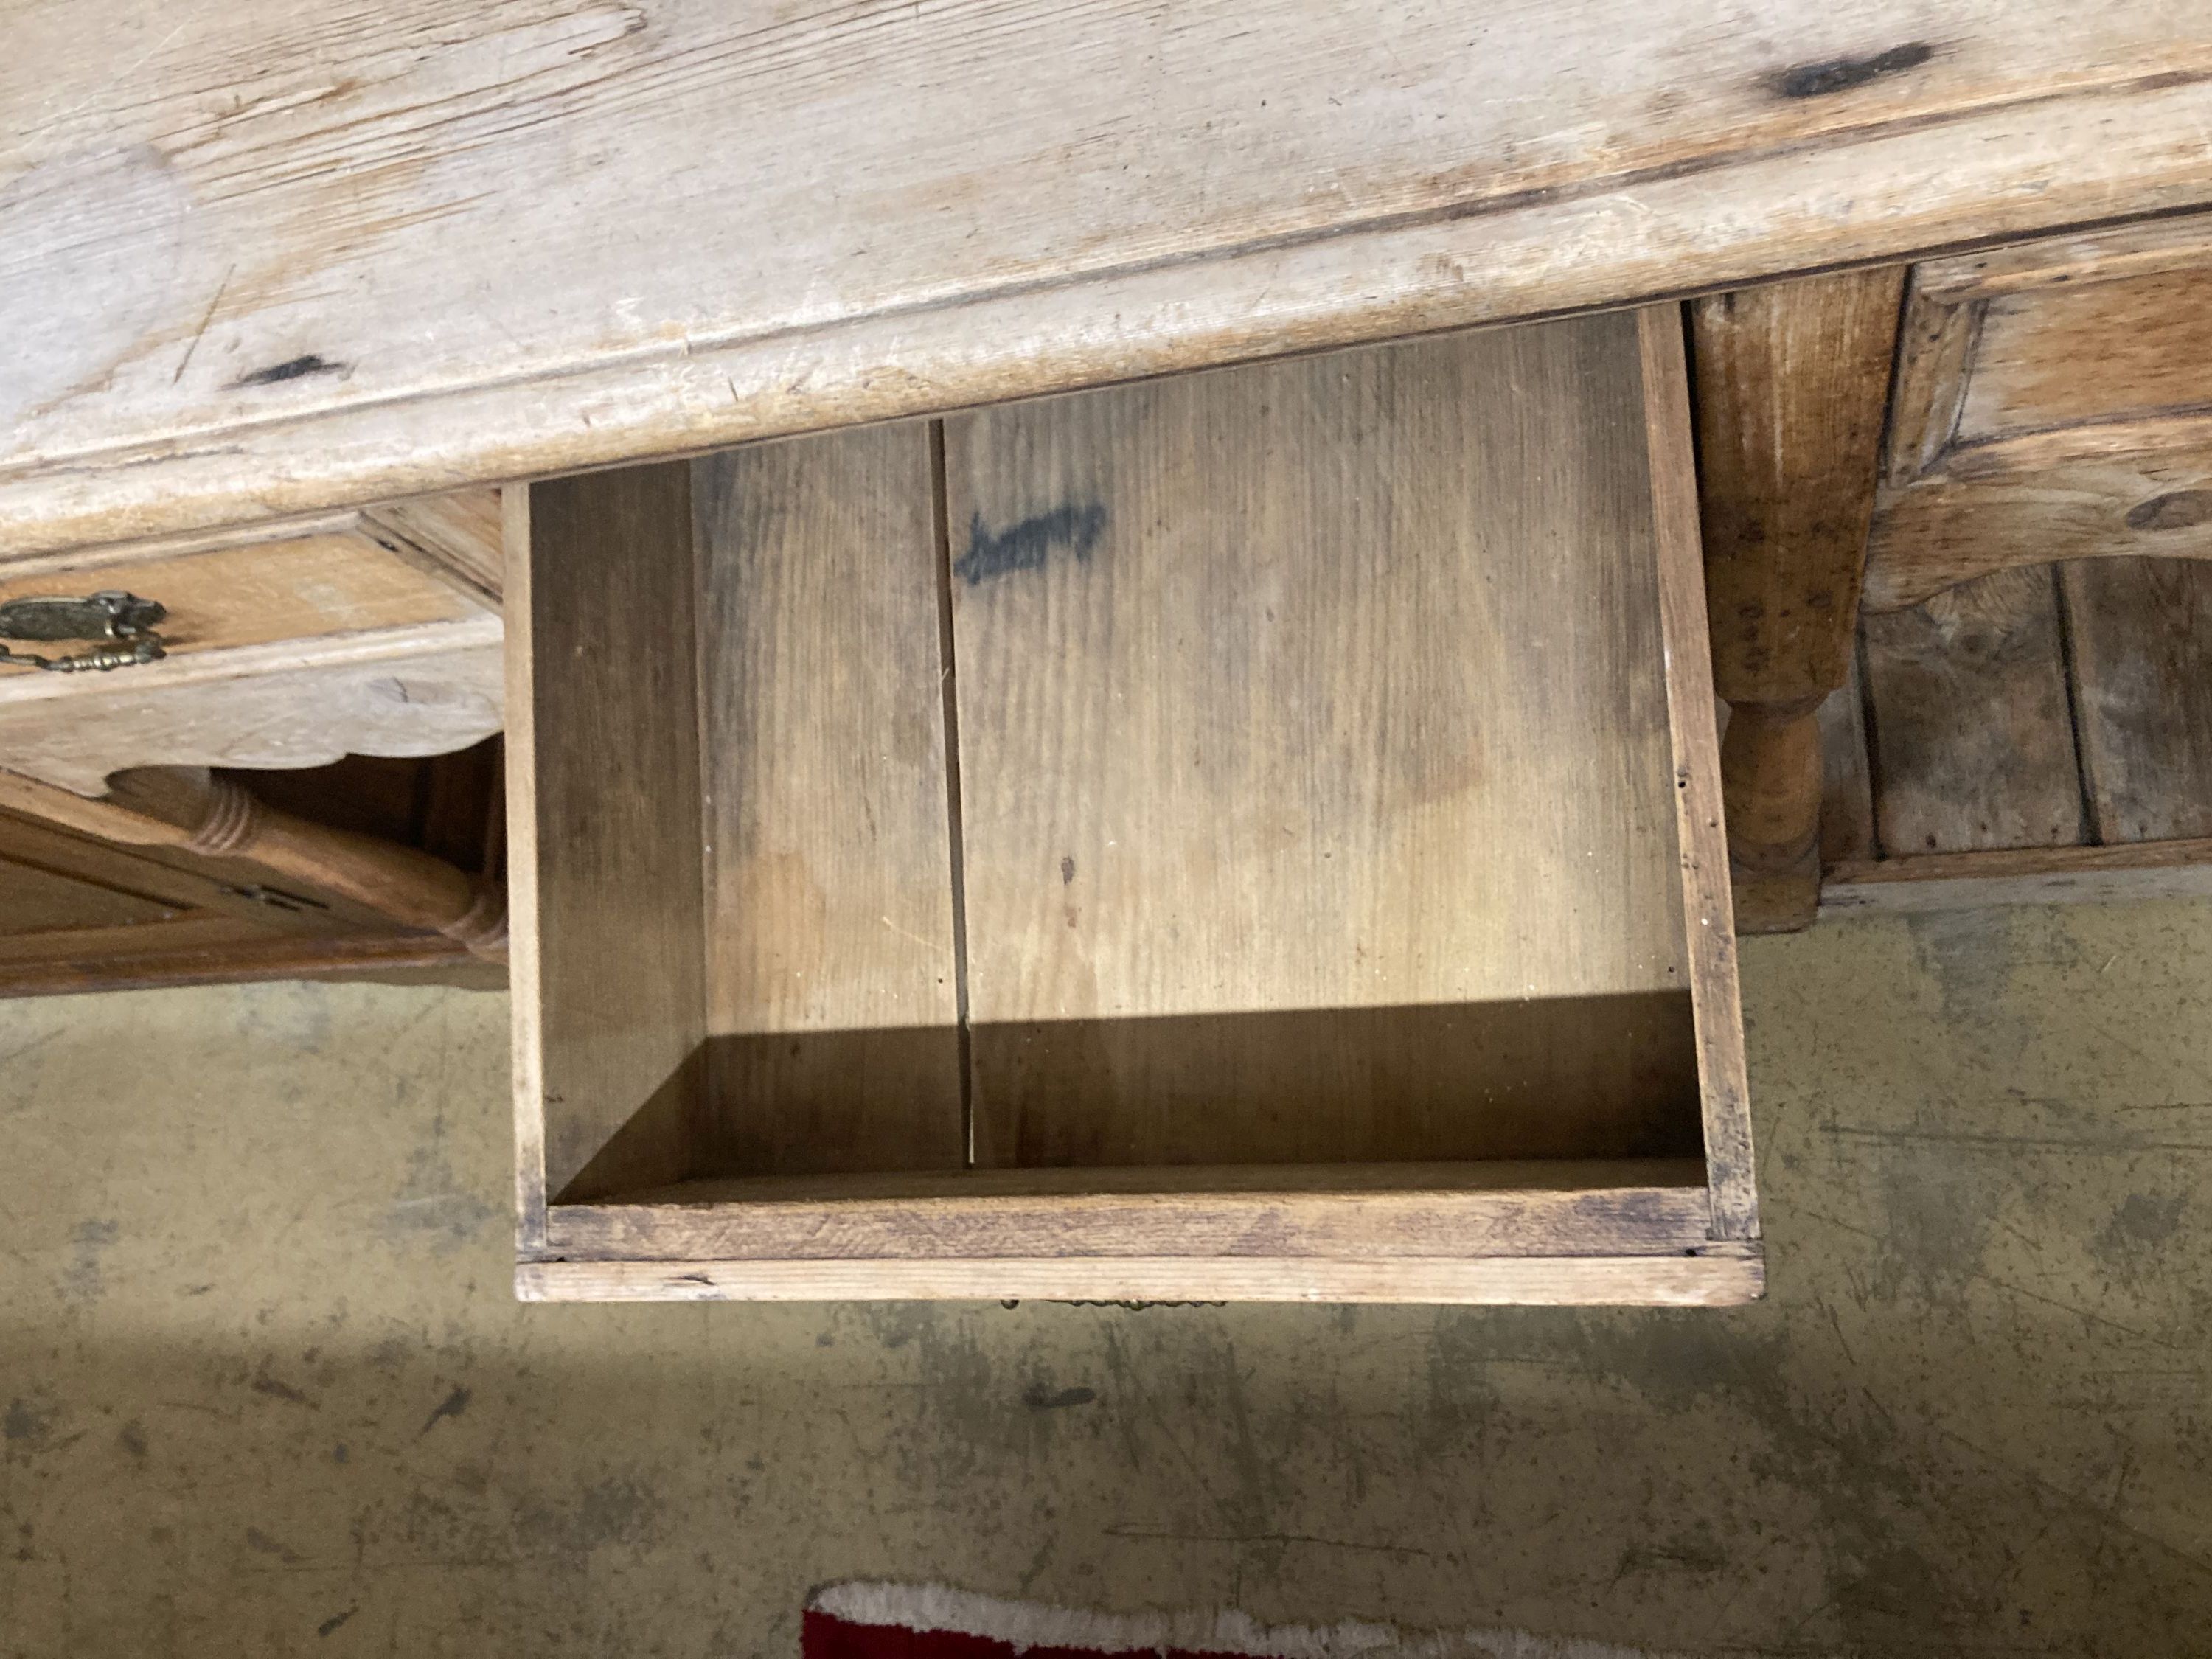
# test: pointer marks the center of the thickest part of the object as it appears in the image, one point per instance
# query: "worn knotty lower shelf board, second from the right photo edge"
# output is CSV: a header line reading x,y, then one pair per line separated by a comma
x,y
1972,727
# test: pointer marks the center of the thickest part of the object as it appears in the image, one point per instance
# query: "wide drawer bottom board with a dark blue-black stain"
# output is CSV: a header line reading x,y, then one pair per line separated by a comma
x,y
1317,687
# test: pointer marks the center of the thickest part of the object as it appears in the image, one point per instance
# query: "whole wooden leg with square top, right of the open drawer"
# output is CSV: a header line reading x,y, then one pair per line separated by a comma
x,y
1793,384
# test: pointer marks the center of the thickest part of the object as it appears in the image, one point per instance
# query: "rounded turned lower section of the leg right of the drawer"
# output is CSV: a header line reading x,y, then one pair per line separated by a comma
x,y
1771,782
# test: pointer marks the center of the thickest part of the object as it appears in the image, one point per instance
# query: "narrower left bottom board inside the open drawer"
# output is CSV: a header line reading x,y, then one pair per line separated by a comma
x,y
833,999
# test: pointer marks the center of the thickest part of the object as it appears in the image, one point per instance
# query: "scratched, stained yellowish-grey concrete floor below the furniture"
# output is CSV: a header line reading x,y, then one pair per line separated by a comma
x,y
267,1392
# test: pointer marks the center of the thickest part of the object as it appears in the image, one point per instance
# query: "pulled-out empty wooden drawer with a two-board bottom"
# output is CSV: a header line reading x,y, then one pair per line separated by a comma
x,y
1249,835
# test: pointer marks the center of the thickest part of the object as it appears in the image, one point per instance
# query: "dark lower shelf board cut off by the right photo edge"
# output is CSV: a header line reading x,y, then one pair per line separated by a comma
x,y
2142,676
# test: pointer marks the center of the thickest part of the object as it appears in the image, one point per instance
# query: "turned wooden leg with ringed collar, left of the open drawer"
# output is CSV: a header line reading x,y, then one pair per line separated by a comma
x,y
187,806
